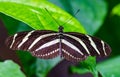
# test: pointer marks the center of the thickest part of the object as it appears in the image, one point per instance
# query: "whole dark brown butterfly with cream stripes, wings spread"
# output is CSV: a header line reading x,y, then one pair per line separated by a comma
x,y
48,44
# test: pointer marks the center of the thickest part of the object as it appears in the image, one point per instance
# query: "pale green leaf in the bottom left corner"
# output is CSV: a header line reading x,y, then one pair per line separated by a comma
x,y
10,69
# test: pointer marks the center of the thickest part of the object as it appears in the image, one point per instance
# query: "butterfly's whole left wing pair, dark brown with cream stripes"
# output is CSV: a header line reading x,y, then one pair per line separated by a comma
x,y
36,42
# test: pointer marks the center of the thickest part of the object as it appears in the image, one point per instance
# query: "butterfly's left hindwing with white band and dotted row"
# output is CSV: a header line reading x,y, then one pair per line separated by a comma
x,y
47,49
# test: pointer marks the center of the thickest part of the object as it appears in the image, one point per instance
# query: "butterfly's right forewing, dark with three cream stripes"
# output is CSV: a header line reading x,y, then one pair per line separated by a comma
x,y
88,45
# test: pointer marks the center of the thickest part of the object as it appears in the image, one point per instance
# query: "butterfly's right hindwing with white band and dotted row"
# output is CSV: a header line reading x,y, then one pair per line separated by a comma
x,y
70,50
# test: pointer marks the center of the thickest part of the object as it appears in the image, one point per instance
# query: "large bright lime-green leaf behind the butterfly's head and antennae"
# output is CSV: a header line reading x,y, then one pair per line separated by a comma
x,y
35,15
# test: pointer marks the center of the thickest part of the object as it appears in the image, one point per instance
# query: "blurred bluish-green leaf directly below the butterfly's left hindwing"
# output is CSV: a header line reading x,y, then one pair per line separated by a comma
x,y
44,66
